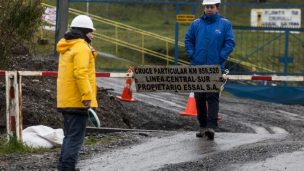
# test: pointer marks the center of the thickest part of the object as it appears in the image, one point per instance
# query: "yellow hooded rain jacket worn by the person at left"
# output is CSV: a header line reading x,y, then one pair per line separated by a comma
x,y
76,74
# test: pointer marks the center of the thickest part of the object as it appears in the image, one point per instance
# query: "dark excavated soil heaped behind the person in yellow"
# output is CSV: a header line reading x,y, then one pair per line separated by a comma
x,y
39,103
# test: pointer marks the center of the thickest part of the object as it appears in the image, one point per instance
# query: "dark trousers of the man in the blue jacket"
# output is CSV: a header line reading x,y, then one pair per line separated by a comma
x,y
207,105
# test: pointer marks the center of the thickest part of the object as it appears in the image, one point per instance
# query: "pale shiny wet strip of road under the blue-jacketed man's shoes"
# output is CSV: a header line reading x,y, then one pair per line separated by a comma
x,y
157,152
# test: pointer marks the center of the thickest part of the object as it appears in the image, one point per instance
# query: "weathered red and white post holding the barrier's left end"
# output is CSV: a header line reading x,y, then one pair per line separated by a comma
x,y
13,119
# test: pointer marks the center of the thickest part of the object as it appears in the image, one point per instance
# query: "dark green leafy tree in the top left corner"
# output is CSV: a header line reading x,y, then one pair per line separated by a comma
x,y
19,21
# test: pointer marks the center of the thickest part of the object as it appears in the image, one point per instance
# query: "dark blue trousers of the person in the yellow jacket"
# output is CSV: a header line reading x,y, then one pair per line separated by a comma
x,y
74,133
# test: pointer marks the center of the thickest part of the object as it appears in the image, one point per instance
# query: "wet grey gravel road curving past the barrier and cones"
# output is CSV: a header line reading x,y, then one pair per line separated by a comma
x,y
253,135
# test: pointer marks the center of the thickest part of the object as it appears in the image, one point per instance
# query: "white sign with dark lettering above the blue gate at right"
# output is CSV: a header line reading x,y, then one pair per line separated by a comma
x,y
282,18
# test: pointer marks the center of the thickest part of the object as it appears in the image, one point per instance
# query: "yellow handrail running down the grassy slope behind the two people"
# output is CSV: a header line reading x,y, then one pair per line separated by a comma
x,y
143,50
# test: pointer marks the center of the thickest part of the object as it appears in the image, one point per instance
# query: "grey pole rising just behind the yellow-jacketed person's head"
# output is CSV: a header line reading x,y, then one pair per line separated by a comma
x,y
62,12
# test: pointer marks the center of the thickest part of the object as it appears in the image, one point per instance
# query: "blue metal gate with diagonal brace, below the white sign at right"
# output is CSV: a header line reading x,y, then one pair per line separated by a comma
x,y
273,50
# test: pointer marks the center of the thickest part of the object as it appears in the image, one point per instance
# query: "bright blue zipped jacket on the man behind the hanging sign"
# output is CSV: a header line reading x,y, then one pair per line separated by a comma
x,y
209,40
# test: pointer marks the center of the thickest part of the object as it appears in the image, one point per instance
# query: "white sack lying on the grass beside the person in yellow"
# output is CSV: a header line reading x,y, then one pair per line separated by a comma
x,y
42,136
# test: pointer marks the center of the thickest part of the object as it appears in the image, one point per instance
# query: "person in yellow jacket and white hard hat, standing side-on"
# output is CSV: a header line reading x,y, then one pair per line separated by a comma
x,y
76,87
